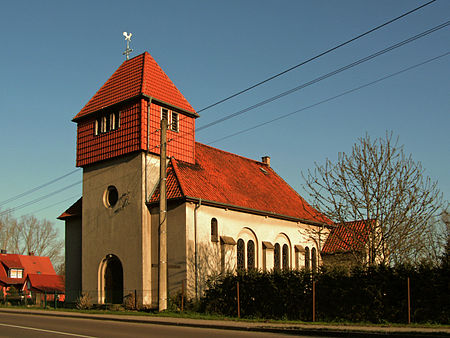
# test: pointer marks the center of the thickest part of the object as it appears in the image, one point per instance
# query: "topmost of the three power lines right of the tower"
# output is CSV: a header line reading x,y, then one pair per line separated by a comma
x,y
315,57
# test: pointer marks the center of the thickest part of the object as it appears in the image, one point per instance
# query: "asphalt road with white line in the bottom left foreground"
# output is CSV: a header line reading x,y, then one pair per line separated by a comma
x,y
22,325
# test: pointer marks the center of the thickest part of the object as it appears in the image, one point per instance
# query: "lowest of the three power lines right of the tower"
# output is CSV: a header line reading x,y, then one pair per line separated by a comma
x,y
331,98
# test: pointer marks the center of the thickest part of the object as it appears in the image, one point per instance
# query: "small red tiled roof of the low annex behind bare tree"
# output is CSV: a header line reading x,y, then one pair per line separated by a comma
x,y
347,237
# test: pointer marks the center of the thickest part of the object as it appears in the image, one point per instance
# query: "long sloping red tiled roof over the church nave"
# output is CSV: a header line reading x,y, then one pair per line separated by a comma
x,y
225,178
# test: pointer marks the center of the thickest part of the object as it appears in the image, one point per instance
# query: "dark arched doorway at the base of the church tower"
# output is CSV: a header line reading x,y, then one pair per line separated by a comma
x,y
113,280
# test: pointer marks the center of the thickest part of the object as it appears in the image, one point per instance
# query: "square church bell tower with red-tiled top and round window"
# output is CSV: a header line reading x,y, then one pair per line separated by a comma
x,y
118,143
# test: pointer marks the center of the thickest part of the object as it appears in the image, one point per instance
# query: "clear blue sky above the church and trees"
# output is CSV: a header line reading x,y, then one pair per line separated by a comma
x,y
56,54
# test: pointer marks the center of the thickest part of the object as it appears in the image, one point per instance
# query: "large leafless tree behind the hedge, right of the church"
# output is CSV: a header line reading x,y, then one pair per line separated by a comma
x,y
381,185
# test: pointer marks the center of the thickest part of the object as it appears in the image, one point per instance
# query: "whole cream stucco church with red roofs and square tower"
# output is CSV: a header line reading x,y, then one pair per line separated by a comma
x,y
224,211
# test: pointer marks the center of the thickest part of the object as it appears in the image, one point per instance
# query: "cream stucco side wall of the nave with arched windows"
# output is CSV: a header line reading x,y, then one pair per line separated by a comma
x,y
246,226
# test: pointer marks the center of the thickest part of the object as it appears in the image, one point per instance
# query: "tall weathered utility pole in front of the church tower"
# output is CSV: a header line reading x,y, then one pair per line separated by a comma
x,y
162,266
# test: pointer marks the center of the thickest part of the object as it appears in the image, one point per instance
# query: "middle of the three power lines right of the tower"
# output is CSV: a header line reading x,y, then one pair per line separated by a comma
x,y
323,77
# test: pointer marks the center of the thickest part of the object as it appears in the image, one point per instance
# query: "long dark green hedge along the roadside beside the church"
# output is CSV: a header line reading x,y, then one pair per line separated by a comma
x,y
377,294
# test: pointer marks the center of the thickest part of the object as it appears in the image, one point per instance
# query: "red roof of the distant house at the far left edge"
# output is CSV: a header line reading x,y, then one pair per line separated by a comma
x,y
29,264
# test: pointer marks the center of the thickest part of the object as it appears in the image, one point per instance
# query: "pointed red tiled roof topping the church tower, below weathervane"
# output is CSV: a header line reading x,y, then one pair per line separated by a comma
x,y
140,75
